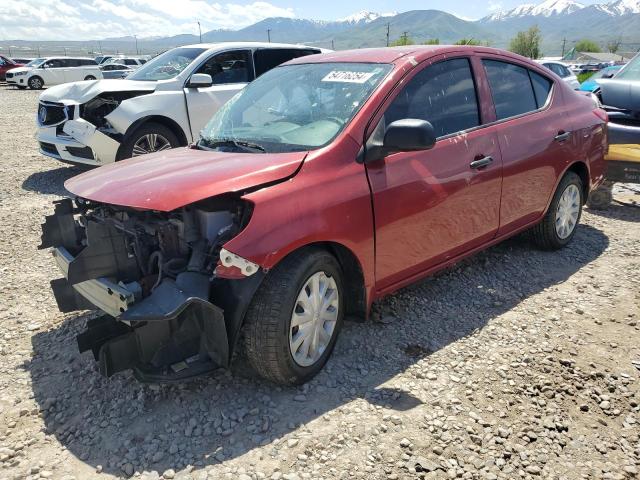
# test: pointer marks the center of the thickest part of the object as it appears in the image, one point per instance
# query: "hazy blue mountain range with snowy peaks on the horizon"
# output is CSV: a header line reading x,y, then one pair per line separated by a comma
x,y
560,21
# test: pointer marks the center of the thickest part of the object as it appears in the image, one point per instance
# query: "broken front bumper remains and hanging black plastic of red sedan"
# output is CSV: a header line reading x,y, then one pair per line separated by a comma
x,y
181,329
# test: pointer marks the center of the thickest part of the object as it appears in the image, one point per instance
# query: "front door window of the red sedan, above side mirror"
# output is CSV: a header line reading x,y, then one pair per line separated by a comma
x,y
444,94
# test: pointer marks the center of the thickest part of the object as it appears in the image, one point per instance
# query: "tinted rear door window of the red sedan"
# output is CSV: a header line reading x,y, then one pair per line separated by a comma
x,y
511,89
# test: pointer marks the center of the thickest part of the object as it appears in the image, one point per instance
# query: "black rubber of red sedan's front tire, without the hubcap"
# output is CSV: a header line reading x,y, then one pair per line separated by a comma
x,y
268,319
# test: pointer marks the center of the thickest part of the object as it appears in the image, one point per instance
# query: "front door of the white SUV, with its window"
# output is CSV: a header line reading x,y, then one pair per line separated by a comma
x,y
230,72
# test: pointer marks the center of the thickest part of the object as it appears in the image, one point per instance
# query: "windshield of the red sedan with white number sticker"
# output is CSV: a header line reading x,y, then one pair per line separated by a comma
x,y
293,108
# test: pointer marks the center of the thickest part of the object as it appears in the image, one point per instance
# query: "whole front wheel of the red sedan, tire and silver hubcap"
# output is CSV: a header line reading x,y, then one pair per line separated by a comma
x,y
293,321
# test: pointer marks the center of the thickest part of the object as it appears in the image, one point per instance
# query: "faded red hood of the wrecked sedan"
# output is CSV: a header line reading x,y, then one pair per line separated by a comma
x,y
168,180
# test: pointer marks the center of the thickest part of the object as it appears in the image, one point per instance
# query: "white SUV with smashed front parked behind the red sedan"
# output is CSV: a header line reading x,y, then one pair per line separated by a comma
x,y
163,104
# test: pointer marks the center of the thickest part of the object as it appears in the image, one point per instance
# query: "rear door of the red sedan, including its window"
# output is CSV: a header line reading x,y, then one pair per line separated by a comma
x,y
534,135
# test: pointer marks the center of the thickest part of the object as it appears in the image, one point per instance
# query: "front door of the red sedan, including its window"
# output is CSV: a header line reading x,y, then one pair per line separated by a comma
x,y
433,205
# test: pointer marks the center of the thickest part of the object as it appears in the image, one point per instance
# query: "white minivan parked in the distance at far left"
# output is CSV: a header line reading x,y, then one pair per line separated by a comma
x,y
50,71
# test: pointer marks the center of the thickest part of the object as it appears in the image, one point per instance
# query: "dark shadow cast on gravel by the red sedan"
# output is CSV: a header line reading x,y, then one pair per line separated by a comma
x,y
118,421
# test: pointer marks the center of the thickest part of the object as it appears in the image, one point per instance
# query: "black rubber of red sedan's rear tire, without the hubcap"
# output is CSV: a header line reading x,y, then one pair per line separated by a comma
x,y
545,234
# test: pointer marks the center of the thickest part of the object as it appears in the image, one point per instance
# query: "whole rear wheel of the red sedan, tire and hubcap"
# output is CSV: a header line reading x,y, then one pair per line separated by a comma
x,y
558,226
